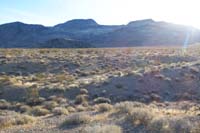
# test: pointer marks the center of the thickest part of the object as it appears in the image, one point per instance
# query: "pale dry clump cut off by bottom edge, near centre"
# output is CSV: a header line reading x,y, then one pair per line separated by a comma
x,y
97,128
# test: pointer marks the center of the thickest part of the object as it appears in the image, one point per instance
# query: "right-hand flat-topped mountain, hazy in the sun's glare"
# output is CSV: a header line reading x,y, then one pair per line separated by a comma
x,y
148,33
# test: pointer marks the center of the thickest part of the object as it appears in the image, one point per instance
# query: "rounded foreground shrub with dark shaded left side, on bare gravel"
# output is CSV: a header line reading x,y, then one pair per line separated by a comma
x,y
77,119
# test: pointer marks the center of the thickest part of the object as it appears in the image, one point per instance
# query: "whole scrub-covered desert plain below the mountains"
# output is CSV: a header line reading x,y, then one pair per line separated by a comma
x,y
104,90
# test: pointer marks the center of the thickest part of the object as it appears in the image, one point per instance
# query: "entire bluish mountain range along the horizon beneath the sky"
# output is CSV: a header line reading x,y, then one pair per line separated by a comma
x,y
80,33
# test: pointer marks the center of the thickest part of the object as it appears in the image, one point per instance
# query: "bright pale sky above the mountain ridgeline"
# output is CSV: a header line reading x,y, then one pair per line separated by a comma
x,y
51,12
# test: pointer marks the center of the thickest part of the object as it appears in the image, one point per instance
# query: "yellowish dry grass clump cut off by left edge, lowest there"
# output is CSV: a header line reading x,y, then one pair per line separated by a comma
x,y
7,121
